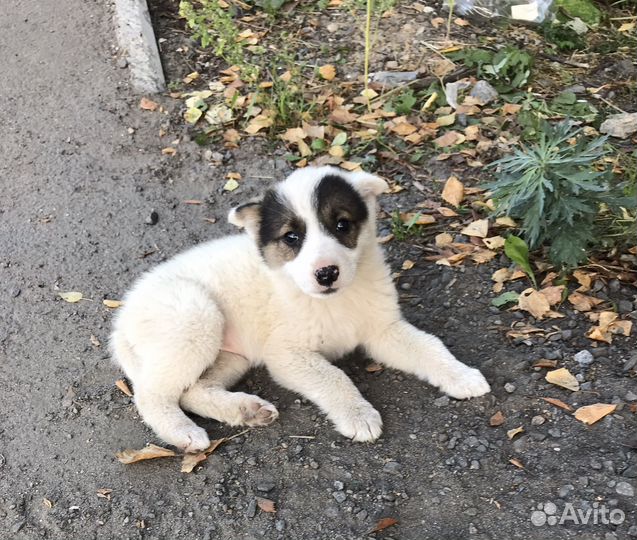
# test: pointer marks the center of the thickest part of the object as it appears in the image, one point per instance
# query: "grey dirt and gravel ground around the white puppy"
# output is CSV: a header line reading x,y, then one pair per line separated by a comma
x,y
81,172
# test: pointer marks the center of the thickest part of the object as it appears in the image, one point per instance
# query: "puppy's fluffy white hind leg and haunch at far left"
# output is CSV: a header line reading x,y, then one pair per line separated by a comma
x,y
175,333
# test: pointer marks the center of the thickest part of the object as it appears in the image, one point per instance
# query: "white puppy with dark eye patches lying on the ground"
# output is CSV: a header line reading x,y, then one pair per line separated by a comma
x,y
305,285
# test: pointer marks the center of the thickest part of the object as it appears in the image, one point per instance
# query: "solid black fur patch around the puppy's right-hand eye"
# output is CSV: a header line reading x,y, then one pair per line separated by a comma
x,y
337,201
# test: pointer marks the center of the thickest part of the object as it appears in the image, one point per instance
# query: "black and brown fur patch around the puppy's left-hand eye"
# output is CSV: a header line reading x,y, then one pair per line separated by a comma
x,y
277,220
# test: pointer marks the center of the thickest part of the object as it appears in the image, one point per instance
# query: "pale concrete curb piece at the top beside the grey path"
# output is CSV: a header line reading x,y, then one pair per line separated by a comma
x,y
137,41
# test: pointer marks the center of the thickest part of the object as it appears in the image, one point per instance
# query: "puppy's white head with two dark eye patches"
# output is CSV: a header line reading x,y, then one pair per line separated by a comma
x,y
314,226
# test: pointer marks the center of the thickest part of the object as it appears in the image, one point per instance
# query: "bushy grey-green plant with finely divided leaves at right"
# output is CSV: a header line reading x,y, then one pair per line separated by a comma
x,y
555,189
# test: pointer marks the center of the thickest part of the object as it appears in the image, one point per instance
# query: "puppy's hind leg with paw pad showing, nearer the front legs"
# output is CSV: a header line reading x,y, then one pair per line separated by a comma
x,y
208,397
